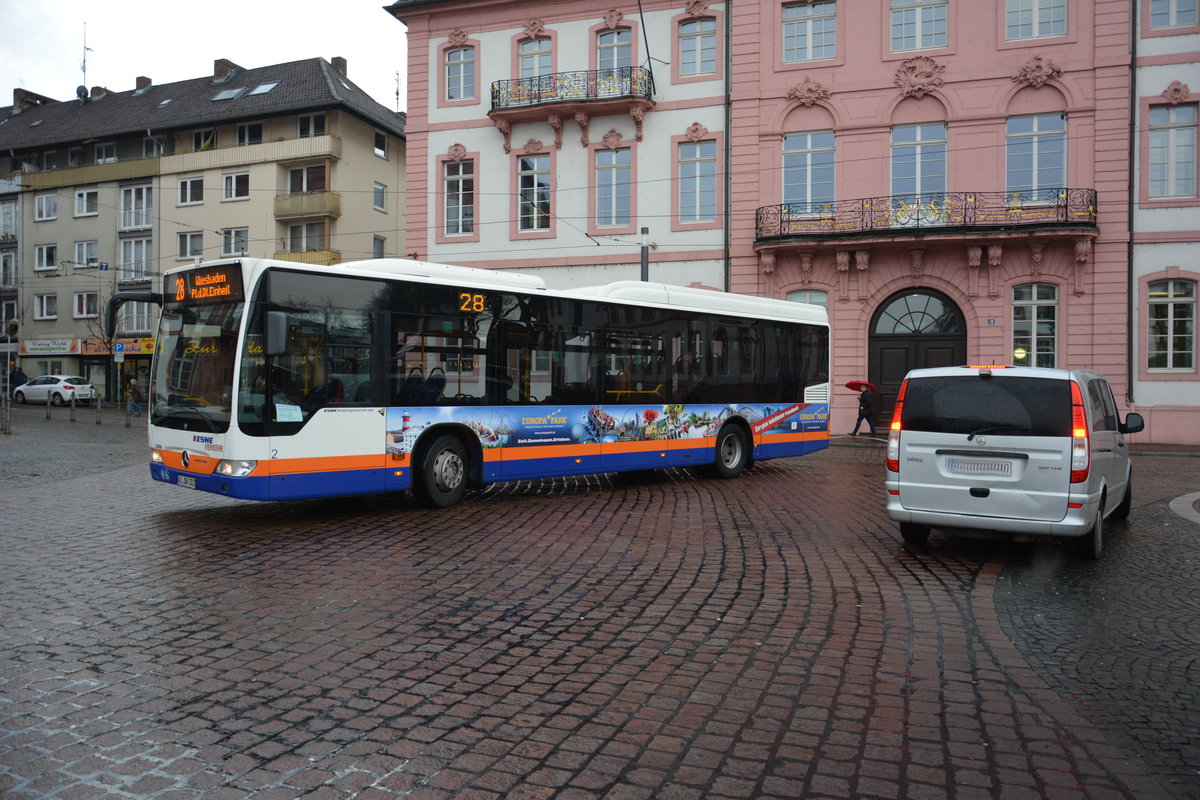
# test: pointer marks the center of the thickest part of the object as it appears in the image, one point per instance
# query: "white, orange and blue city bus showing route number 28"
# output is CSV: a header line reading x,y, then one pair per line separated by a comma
x,y
281,381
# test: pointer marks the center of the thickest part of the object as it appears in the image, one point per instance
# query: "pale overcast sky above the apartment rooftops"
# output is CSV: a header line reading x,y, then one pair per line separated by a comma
x,y
169,41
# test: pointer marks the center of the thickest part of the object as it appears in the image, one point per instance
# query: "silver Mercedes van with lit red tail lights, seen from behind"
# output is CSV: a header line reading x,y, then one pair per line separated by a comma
x,y
1019,452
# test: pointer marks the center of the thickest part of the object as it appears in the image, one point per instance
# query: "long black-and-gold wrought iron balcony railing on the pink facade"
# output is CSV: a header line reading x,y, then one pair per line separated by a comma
x,y
947,213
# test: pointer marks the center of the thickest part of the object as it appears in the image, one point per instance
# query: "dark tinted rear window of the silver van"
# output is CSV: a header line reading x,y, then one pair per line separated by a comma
x,y
1029,407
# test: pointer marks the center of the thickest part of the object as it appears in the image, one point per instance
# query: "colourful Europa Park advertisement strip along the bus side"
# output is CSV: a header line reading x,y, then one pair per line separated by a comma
x,y
574,425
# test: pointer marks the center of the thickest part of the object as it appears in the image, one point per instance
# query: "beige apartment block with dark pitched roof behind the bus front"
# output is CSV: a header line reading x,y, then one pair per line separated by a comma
x,y
110,190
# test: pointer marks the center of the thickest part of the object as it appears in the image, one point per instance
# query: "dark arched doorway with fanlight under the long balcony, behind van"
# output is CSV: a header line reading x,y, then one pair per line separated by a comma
x,y
913,329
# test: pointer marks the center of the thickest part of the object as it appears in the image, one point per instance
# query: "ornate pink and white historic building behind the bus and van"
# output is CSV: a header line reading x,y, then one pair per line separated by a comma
x,y
952,181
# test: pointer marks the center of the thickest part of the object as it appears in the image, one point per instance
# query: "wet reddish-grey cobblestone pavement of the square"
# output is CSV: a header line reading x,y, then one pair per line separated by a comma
x,y
682,637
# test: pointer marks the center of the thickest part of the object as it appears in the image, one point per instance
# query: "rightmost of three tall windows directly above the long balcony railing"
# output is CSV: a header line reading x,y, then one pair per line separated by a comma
x,y
1036,158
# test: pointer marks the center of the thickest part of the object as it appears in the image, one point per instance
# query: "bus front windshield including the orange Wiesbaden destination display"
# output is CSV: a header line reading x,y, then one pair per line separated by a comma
x,y
197,344
